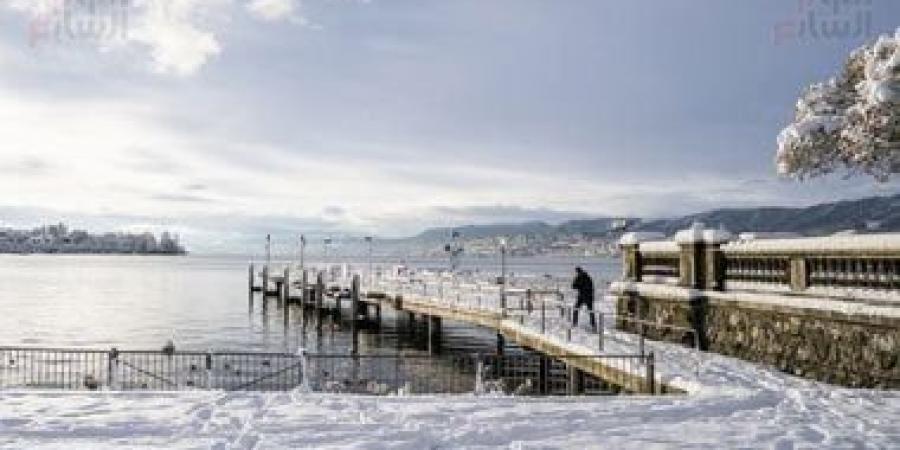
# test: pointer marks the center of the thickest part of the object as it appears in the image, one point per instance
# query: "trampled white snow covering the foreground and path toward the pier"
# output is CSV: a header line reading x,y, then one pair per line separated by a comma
x,y
731,403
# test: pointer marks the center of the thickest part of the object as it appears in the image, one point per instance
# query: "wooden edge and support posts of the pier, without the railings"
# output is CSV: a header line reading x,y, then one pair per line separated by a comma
x,y
365,307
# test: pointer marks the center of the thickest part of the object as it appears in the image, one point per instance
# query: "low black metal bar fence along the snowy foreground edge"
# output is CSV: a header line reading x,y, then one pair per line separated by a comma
x,y
517,374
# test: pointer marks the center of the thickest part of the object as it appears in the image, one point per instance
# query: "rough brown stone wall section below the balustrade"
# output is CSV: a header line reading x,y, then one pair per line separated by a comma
x,y
849,350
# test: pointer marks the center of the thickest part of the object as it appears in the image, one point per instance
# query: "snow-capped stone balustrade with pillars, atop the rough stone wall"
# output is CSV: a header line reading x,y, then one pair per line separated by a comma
x,y
851,266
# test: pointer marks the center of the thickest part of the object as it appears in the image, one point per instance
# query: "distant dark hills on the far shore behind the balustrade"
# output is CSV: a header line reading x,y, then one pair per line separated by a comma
x,y
881,213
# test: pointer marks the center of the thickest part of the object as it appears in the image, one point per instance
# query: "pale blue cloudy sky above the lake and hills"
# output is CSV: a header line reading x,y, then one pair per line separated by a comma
x,y
227,119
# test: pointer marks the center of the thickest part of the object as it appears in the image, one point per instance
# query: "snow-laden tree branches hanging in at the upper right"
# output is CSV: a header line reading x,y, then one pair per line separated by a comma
x,y
850,122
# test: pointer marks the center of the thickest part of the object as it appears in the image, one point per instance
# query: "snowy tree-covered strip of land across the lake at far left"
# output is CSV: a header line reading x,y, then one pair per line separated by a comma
x,y
60,239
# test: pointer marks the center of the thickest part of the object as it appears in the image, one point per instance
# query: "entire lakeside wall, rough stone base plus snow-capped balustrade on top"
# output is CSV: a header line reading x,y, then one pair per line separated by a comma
x,y
826,308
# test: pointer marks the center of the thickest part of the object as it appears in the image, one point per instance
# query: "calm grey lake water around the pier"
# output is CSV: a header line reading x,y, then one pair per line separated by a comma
x,y
201,303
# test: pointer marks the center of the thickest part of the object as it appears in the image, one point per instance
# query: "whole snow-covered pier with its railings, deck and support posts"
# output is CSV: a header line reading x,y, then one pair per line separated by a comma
x,y
532,313
